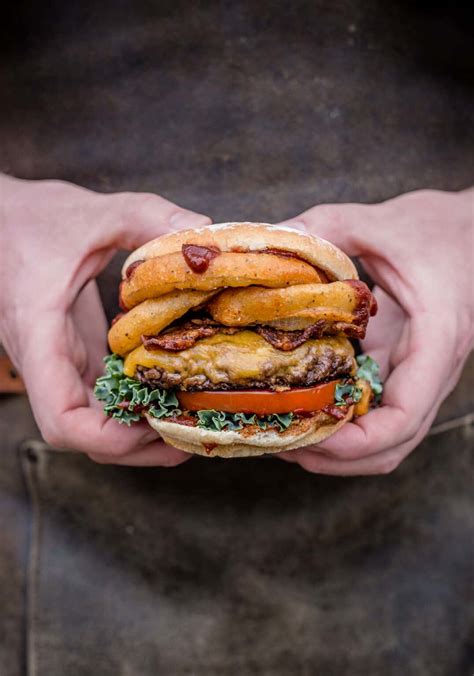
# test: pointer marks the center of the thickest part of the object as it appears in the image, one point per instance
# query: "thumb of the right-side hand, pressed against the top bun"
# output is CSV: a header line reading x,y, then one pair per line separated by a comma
x,y
345,225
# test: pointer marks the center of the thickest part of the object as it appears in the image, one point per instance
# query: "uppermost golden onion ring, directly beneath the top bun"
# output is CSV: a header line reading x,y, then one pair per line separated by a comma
x,y
163,274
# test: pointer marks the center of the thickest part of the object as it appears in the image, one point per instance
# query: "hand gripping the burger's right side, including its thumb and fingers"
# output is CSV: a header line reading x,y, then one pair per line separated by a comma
x,y
418,249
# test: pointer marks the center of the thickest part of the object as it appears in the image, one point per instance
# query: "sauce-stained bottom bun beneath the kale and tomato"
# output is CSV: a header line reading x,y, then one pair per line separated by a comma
x,y
241,443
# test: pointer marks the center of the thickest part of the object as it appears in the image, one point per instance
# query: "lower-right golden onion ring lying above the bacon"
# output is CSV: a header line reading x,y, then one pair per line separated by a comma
x,y
298,306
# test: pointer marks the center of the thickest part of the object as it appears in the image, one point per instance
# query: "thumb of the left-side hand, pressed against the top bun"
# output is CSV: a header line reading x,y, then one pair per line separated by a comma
x,y
145,216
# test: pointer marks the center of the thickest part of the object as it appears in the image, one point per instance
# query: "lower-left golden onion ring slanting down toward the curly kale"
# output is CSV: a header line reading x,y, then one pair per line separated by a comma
x,y
151,317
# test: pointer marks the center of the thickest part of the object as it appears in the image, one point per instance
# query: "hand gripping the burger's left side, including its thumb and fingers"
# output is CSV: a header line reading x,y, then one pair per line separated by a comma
x,y
56,238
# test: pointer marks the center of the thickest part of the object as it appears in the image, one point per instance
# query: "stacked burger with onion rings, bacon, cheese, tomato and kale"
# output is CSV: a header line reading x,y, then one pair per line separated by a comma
x,y
234,340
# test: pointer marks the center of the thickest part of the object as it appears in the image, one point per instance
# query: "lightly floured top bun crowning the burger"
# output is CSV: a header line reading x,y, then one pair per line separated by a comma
x,y
252,237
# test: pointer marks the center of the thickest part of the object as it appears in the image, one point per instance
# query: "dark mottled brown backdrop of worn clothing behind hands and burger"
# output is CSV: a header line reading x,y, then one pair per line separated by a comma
x,y
240,110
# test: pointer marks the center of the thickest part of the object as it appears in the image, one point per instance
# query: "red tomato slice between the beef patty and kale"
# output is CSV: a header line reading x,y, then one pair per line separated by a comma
x,y
262,402
